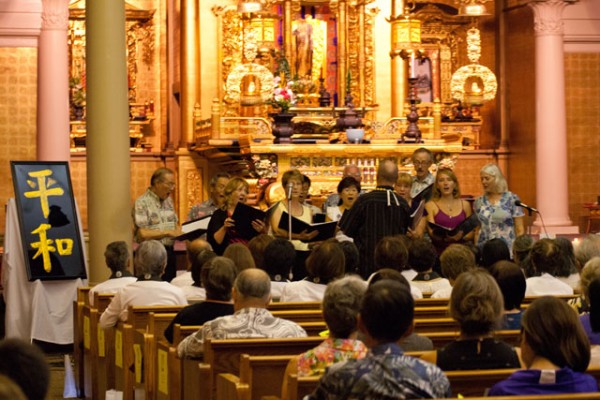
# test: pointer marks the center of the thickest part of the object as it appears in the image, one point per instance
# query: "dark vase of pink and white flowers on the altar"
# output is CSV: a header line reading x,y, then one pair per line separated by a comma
x,y
283,99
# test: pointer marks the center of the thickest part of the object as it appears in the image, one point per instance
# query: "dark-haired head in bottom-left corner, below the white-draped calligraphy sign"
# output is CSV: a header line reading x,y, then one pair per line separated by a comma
x,y
26,365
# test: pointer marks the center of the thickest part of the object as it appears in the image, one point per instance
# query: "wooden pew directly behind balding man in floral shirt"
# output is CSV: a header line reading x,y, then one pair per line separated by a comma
x,y
223,356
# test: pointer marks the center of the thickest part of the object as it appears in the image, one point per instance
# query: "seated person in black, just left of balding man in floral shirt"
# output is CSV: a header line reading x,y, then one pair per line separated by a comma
x,y
218,274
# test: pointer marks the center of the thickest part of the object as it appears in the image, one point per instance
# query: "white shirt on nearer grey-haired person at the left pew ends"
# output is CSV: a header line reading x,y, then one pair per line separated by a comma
x,y
141,293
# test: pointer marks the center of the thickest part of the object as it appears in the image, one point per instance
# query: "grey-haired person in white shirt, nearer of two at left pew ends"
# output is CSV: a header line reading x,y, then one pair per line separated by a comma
x,y
150,261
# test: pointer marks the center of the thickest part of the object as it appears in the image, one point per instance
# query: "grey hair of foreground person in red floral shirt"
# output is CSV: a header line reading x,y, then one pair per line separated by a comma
x,y
341,304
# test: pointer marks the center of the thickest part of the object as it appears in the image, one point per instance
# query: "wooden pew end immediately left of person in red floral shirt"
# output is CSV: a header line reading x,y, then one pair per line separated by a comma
x,y
259,376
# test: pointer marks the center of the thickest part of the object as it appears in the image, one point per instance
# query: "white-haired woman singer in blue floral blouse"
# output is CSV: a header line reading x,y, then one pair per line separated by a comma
x,y
496,209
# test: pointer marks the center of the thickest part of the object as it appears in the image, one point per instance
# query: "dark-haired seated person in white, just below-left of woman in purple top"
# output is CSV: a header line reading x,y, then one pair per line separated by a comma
x,y
422,257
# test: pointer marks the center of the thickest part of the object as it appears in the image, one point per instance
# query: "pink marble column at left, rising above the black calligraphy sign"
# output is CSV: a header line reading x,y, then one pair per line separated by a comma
x,y
53,141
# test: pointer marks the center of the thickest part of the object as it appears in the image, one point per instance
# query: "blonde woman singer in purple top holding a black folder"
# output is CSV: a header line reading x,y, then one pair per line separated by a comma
x,y
447,209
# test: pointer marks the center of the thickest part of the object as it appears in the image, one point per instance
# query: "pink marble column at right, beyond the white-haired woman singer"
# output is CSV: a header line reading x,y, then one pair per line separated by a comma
x,y
552,183
